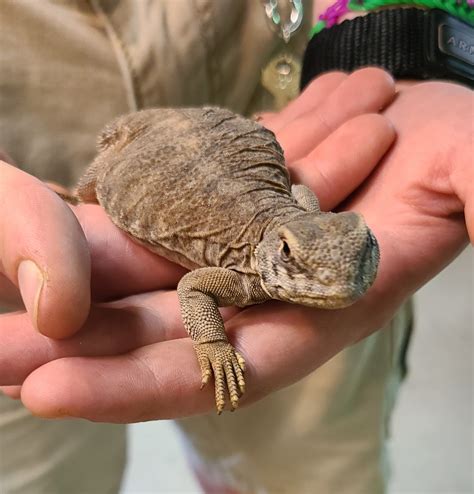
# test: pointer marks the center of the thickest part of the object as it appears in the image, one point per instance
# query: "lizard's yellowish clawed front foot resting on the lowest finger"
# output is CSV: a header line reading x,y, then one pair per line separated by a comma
x,y
227,365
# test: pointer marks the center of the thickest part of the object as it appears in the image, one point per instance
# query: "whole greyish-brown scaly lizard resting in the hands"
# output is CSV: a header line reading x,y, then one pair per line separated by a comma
x,y
209,190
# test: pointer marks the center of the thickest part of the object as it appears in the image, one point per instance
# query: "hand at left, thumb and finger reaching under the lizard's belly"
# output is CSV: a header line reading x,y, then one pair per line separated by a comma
x,y
37,226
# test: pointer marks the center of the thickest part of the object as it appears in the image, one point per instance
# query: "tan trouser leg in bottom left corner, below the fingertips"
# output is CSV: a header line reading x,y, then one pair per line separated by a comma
x,y
58,456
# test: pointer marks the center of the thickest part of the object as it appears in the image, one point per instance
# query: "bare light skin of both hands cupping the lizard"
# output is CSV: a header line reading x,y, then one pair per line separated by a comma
x,y
130,361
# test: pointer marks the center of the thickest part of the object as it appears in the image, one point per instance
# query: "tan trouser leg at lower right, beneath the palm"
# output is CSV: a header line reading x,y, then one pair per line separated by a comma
x,y
326,434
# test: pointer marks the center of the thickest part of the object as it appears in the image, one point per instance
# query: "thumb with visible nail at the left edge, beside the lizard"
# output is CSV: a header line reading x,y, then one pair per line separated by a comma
x,y
43,252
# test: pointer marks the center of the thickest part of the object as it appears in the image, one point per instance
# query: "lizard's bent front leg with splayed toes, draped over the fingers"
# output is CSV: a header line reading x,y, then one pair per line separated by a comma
x,y
200,293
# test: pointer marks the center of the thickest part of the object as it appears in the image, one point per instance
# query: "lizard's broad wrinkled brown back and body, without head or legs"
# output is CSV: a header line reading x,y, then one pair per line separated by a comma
x,y
198,186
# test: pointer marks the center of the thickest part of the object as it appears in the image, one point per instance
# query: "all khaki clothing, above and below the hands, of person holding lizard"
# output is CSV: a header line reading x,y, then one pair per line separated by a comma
x,y
66,68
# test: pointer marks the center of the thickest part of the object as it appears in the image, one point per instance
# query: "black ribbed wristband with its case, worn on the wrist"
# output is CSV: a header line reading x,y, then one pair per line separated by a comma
x,y
409,43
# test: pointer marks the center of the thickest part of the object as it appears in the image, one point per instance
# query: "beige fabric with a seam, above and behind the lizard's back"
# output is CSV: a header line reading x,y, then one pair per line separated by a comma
x,y
62,77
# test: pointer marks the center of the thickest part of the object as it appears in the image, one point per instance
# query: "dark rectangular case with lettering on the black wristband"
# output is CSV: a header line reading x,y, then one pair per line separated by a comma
x,y
451,46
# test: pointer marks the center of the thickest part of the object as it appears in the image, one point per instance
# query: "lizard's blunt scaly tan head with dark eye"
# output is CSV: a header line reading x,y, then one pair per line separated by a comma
x,y
326,260
